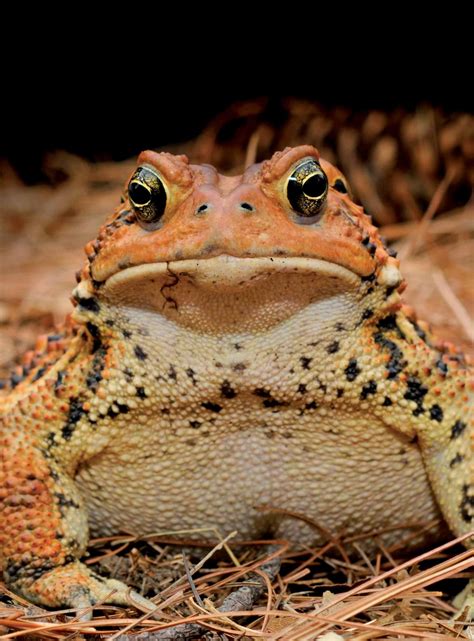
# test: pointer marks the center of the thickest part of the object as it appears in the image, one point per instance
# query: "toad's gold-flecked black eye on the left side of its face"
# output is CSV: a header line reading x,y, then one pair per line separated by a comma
x,y
147,195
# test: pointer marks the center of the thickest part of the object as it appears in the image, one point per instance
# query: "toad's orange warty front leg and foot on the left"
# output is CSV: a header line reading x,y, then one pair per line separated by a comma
x,y
44,532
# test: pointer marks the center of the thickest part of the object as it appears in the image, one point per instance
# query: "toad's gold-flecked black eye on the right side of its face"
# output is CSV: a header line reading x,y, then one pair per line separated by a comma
x,y
307,188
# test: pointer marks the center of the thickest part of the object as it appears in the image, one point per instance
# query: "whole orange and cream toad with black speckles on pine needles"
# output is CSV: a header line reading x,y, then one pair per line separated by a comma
x,y
223,360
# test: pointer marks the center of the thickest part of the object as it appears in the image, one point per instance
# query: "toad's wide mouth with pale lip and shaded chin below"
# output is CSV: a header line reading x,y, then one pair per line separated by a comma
x,y
227,293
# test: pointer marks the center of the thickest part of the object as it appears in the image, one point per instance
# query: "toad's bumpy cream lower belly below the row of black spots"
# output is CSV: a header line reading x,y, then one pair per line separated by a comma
x,y
350,474
